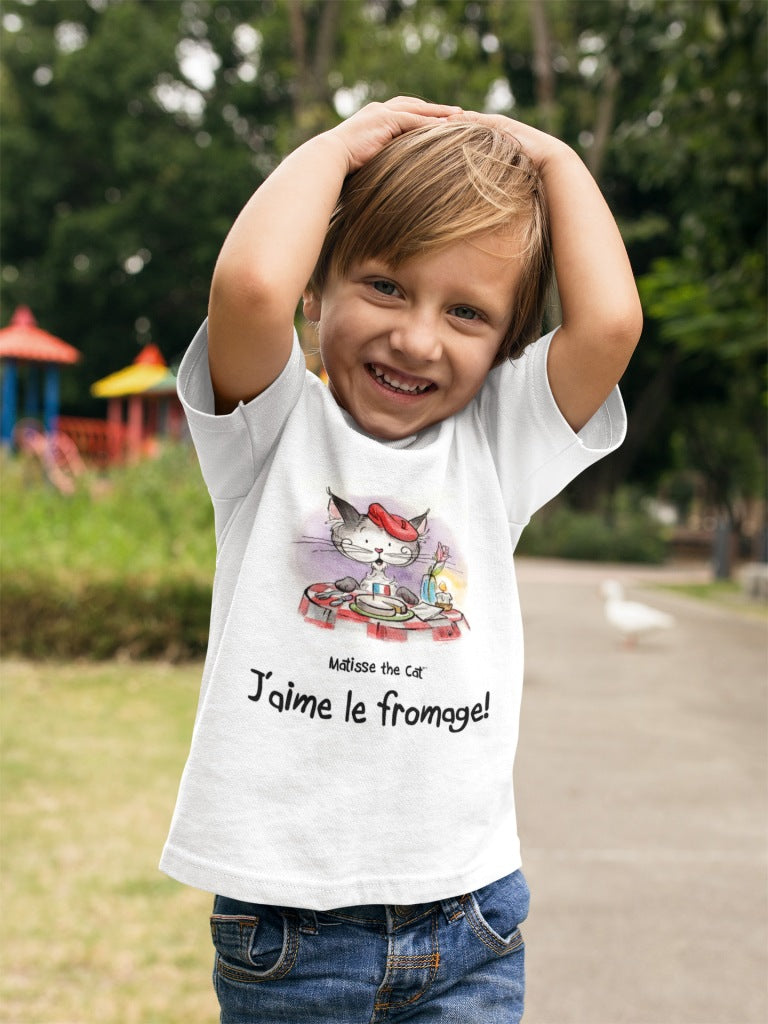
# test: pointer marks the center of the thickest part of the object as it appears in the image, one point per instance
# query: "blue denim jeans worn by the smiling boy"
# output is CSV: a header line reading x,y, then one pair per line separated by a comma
x,y
458,961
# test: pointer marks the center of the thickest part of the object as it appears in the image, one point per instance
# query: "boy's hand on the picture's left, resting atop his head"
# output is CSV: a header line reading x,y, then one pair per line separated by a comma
x,y
368,132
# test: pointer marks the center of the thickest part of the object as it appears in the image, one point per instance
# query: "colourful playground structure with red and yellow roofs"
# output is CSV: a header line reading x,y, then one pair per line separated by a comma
x,y
31,360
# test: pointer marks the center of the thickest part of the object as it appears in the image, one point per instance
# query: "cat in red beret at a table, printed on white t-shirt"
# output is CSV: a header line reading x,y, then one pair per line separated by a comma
x,y
398,586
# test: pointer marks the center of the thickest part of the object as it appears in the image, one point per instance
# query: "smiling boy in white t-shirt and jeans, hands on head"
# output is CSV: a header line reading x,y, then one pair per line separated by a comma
x,y
349,794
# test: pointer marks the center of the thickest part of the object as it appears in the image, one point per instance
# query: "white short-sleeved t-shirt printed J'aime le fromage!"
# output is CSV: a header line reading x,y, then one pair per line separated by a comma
x,y
359,712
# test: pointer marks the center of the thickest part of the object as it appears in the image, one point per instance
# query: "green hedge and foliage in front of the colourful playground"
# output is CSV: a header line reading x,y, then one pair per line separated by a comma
x,y
124,567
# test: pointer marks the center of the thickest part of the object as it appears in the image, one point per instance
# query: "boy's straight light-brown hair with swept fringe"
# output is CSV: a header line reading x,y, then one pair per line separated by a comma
x,y
440,185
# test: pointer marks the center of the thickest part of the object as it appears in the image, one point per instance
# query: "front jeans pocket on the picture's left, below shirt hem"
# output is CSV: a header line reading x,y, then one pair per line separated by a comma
x,y
257,947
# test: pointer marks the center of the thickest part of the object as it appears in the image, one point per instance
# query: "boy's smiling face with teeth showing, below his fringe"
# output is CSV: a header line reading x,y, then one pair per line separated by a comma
x,y
408,348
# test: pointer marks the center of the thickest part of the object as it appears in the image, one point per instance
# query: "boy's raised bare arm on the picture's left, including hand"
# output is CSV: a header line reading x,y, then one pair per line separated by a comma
x,y
271,251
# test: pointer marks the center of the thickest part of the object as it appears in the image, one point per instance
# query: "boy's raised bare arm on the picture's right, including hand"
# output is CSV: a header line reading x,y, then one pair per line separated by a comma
x,y
602,313
